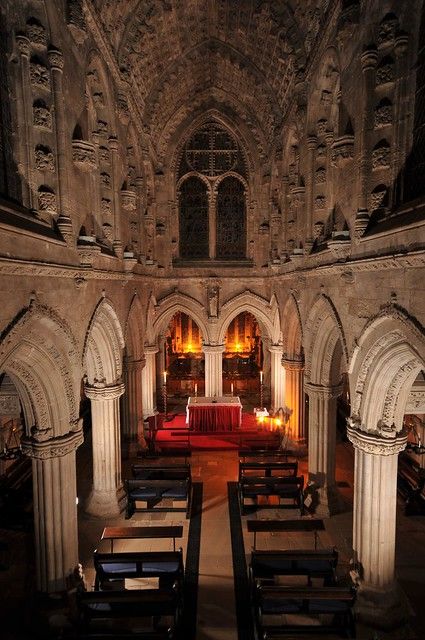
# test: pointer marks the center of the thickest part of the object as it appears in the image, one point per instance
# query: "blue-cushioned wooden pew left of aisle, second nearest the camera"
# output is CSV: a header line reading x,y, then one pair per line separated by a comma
x,y
113,568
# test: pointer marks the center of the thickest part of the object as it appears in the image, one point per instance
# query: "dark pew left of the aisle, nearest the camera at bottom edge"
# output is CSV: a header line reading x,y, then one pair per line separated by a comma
x,y
146,613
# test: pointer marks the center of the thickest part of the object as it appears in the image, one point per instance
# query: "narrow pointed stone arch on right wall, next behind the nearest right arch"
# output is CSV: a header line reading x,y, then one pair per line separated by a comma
x,y
324,344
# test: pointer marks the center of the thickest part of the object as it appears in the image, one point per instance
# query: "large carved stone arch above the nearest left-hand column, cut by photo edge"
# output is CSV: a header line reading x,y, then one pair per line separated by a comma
x,y
40,354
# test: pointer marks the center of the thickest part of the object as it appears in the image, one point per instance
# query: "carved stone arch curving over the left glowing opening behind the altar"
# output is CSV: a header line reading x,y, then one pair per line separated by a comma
x,y
168,306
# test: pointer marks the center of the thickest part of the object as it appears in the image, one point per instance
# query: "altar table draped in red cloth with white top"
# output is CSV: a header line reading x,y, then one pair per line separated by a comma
x,y
214,414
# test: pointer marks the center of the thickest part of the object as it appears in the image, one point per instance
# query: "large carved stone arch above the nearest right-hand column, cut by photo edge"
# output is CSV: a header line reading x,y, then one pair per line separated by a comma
x,y
388,357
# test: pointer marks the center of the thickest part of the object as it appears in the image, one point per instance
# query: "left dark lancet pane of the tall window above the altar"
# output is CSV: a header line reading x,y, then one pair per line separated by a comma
x,y
193,220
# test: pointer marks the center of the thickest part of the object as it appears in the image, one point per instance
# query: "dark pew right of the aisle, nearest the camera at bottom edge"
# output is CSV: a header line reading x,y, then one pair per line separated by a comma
x,y
304,612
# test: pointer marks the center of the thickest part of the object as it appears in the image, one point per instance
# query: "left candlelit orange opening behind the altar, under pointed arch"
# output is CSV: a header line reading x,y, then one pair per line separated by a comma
x,y
182,358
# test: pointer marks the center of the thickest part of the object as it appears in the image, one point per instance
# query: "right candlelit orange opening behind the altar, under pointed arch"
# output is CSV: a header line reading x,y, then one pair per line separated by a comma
x,y
243,358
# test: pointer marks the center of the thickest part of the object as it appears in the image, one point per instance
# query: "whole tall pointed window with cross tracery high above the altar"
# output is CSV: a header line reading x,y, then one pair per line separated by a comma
x,y
213,229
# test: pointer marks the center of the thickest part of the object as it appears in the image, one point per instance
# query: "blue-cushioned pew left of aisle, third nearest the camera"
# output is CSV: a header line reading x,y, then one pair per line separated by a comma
x,y
154,490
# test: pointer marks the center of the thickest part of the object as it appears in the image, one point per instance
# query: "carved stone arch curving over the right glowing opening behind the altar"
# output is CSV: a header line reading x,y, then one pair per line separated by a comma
x,y
266,313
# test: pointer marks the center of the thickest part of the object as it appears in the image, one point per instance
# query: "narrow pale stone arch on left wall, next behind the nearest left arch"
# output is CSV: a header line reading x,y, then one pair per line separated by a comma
x,y
102,359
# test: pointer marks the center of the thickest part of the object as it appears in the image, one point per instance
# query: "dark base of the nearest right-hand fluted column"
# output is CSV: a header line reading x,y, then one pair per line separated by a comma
x,y
386,608
